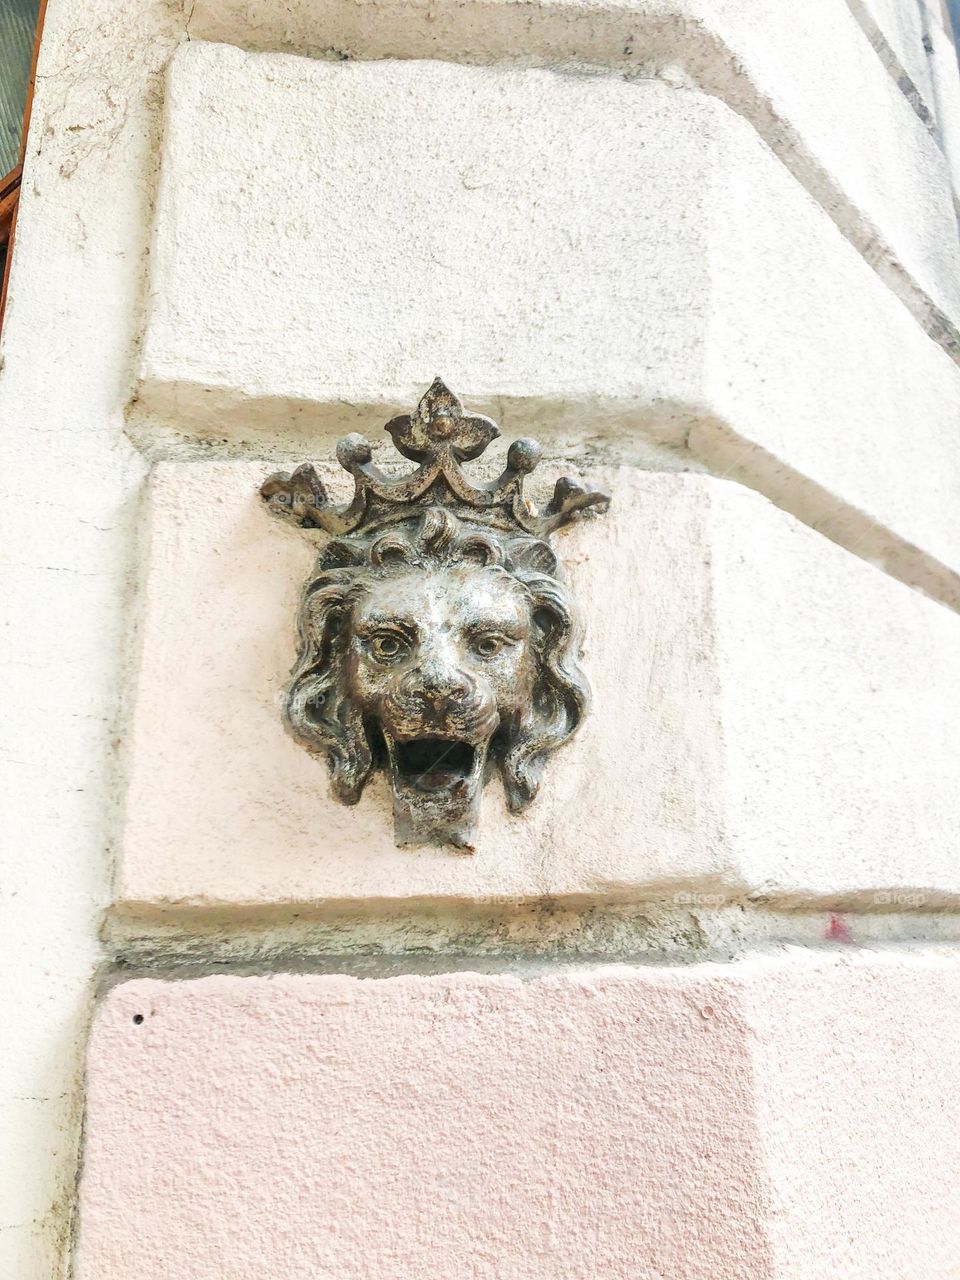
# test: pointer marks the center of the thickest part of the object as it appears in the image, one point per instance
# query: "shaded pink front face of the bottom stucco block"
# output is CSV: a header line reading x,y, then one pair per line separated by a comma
x,y
456,1127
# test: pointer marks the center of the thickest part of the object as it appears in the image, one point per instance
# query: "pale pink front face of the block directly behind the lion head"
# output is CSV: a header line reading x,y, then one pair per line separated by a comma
x,y
223,807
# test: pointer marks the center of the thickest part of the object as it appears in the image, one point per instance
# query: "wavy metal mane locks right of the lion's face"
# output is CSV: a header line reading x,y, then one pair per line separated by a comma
x,y
560,696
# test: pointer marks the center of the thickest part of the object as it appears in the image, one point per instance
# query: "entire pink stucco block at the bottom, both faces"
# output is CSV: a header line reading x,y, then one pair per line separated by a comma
x,y
726,1123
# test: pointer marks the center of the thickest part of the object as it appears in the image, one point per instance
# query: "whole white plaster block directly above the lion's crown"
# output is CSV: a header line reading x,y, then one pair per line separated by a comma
x,y
716,308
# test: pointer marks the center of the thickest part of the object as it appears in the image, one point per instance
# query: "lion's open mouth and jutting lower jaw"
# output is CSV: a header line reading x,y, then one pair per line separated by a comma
x,y
436,784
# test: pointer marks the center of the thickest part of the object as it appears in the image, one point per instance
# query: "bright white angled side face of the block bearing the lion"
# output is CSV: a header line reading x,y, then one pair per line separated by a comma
x,y
838,693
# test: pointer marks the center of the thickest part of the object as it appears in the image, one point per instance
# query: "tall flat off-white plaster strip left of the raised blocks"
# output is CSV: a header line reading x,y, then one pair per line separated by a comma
x,y
71,326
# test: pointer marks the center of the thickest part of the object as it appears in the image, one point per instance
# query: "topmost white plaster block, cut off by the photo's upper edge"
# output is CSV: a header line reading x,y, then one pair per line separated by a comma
x,y
804,76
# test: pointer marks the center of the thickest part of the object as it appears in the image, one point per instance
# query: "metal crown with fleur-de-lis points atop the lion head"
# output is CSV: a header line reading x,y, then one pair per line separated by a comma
x,y
440,437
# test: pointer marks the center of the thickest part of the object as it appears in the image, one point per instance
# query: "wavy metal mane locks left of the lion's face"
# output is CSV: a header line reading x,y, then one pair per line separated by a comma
x,y
317,707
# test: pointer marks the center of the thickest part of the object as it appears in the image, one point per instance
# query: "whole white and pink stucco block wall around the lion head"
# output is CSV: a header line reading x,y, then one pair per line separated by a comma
x,y
701,250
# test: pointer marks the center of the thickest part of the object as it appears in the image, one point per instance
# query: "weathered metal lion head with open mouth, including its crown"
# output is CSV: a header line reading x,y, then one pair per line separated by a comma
x,y
437,638
